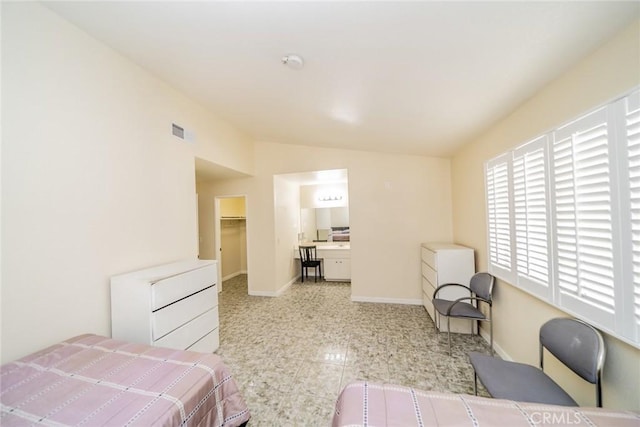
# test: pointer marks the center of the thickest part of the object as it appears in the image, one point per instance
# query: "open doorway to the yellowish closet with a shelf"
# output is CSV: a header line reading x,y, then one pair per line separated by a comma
x,y
230,236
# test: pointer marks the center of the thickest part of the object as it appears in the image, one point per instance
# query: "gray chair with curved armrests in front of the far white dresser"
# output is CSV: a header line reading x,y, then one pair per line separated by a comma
x,y
480,290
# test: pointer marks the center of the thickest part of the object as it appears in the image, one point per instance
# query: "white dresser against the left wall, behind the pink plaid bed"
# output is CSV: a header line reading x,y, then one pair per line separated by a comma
x,y
173,305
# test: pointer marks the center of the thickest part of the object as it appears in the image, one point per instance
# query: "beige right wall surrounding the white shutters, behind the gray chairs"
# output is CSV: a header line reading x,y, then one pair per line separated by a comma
x,y
606,74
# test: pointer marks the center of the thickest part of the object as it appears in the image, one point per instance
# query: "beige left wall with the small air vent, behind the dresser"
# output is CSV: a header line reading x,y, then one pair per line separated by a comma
x,y
93,182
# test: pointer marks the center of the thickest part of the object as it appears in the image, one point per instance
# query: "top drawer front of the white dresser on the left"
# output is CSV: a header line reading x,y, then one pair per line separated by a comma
x,y
171,289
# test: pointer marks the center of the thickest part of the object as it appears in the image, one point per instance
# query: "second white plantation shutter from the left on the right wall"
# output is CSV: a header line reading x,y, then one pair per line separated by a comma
x,y
531,216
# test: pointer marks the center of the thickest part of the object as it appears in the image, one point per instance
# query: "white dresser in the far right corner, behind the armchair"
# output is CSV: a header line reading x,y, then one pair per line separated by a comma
x,y
446,263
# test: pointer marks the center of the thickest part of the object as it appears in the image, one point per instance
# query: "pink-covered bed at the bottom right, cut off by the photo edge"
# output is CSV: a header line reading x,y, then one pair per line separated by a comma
x,y
372,404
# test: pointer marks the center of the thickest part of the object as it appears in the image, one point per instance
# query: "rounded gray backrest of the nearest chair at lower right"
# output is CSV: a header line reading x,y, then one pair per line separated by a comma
x,y
576,344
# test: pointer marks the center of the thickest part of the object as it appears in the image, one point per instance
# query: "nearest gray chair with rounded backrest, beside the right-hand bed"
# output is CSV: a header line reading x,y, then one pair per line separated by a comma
x,y
575,343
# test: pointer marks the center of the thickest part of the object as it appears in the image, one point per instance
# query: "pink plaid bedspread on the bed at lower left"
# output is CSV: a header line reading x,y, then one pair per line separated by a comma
x,y
95,381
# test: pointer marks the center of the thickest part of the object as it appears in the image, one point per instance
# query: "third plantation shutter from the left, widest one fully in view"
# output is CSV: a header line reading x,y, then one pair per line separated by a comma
x,y
583,217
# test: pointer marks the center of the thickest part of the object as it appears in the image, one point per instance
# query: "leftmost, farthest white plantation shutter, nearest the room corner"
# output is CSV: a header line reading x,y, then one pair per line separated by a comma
x,y
497,176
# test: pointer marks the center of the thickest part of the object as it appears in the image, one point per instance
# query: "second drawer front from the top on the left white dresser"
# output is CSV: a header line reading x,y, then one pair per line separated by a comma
x,y
177,314
